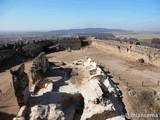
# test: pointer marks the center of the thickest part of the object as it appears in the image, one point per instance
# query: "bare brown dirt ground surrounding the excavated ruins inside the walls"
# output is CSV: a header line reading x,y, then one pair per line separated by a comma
x,y
126,73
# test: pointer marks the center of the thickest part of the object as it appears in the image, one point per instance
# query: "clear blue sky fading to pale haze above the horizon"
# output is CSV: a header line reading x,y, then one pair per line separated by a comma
x,y
44,15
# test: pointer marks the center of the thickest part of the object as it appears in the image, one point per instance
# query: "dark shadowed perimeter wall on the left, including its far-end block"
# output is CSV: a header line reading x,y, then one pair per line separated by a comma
x,y
33,48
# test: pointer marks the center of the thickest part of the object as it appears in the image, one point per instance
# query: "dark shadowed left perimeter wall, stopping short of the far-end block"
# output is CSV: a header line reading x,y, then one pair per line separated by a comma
x,y
29,49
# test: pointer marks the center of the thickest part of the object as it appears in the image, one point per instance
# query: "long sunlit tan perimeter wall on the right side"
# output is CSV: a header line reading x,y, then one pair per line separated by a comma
x,y
132,51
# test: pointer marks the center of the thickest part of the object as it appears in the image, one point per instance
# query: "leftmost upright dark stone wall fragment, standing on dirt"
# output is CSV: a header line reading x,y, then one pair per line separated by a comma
x,y
20,83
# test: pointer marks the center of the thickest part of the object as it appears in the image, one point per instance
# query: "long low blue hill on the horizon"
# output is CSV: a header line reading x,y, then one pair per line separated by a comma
x,y
86,30
